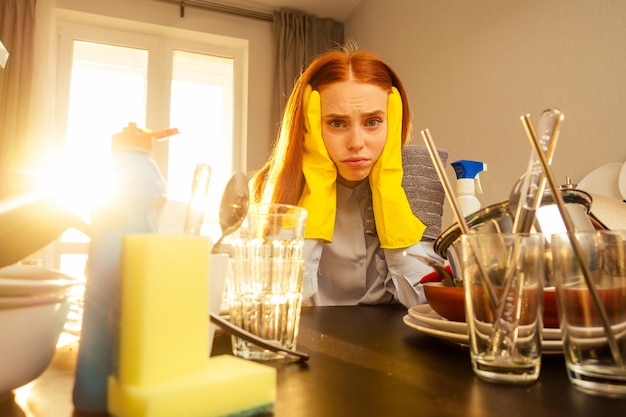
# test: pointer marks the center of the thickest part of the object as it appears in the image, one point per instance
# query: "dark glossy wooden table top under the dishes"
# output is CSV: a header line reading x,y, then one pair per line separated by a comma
x,y
366,362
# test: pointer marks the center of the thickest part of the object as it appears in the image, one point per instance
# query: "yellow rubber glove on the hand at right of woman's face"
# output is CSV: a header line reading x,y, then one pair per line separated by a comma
x,y
396,224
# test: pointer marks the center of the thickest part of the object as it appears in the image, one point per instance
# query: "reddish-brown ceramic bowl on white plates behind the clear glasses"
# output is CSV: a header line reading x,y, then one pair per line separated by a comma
x,y
449,302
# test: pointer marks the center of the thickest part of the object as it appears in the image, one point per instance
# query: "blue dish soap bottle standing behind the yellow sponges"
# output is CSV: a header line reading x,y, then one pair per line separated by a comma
x,y
131,203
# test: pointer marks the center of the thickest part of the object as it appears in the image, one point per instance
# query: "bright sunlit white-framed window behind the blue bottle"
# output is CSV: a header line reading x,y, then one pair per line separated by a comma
x,y
109,77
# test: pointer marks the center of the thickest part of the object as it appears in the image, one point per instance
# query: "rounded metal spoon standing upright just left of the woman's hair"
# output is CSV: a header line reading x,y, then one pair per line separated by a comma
x,y
233,207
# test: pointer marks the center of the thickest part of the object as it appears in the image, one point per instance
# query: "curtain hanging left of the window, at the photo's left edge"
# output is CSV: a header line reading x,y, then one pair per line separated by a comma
x,y
17,20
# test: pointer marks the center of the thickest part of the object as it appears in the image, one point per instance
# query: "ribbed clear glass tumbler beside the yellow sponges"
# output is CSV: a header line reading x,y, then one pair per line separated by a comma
x,y
265,289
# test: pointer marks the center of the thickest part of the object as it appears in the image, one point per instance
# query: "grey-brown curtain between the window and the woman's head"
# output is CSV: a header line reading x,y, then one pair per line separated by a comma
x,y
299,38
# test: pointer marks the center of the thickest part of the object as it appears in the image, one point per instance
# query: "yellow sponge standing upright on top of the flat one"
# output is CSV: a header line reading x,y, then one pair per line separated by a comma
x,y
163,313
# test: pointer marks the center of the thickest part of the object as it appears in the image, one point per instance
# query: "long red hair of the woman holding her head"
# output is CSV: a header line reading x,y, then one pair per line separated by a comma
x,y
281,180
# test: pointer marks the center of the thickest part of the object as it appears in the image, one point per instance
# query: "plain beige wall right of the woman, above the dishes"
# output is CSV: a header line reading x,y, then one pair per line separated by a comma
x,y
472,68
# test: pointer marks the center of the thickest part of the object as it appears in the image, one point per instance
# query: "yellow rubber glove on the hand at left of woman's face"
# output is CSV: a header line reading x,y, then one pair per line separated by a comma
x,y
319,196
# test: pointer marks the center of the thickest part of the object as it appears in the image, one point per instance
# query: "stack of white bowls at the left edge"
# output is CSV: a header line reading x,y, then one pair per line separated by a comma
x,y
34,306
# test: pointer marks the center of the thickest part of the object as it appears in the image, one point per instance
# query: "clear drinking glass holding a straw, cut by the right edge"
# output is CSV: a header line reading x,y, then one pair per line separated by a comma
x,y
592,319
